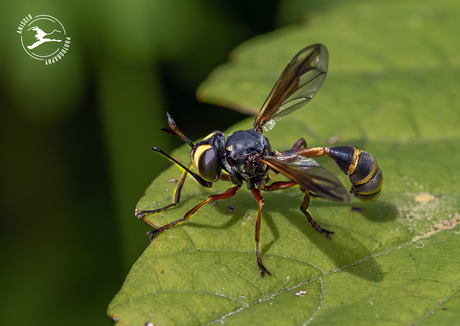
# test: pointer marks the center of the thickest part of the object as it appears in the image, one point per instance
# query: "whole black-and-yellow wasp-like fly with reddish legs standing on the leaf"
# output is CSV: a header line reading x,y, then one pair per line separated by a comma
x,y
246,155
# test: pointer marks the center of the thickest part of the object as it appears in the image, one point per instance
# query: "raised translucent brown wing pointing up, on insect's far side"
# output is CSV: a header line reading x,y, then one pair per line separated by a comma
x,y
296,86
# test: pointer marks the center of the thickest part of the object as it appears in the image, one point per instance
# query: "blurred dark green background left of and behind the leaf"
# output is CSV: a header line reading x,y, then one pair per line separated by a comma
x,y
76,136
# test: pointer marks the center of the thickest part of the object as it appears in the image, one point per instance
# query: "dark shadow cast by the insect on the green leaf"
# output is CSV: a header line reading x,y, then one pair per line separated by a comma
x,y
345,250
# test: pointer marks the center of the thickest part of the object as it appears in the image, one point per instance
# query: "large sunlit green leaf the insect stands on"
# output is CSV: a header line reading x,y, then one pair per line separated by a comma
x,y
392,90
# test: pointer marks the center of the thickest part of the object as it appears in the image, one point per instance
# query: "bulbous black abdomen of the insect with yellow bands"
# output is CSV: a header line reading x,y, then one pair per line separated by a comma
x,y
361,167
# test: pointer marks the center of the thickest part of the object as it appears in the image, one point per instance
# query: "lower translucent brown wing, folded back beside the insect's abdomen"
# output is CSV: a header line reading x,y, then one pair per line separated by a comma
x,y
310,175
